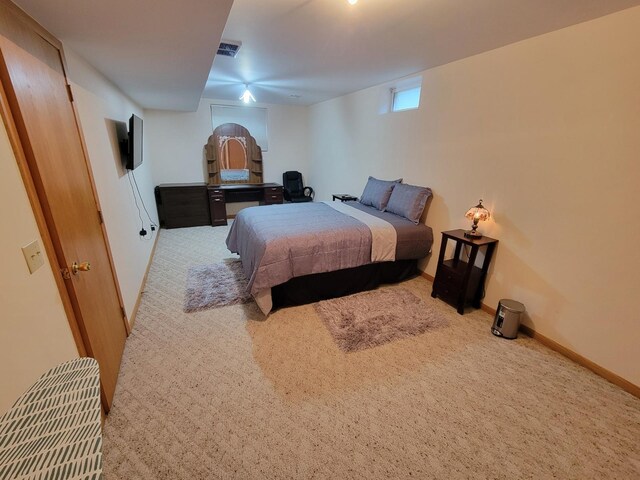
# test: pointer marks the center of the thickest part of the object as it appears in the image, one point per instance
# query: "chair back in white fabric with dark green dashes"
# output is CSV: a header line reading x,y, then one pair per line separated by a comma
x,y
54,430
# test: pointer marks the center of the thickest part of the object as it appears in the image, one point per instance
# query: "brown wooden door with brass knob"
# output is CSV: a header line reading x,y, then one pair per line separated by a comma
x,y
34,82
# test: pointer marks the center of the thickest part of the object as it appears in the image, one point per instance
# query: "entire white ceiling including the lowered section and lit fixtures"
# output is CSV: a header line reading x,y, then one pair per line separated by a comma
x,y
293,51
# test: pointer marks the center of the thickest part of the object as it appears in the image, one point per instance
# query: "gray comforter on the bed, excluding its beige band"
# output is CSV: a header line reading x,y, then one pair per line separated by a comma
x,y
279,242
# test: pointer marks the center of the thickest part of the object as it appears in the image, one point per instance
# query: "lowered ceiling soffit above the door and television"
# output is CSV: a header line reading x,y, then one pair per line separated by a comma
x,y
158,53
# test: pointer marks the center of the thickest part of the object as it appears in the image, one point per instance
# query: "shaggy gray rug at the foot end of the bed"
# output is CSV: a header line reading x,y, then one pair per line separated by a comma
x,y
215,285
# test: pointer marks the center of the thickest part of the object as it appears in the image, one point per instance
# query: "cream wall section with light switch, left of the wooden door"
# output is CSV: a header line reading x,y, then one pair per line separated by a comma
x,y
34,332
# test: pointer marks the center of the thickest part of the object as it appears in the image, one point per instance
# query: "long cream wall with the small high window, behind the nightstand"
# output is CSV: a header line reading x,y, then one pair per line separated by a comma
x,y
547,132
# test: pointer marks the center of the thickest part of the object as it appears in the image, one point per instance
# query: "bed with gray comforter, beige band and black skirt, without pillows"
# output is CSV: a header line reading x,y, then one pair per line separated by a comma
x,y
299,253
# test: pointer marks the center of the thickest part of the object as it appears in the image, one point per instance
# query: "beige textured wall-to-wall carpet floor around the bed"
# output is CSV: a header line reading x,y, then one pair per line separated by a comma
x,y
225,394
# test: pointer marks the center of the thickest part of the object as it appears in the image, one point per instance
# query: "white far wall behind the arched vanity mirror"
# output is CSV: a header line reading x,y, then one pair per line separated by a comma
x,y
176,142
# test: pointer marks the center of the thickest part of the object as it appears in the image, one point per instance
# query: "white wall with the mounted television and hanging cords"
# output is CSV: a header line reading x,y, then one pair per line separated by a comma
x,y
100,104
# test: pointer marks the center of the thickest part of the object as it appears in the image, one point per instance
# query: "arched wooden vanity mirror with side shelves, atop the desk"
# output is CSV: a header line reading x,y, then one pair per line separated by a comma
x,y
233,156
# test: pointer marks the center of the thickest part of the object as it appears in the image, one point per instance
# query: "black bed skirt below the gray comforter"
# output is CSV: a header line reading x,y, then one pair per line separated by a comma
x,y
321,286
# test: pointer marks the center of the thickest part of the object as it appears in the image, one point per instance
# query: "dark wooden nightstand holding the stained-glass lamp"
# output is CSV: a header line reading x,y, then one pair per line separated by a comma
x,y
457,281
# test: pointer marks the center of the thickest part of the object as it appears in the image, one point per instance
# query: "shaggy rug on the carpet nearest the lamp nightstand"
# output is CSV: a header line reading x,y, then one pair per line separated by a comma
x,y
372,318
